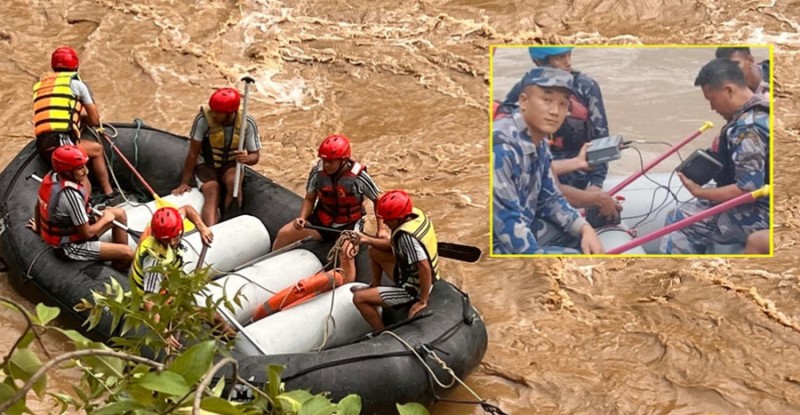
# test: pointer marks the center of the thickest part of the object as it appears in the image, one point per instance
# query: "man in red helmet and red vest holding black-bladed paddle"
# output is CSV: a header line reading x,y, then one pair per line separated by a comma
x,y
335,193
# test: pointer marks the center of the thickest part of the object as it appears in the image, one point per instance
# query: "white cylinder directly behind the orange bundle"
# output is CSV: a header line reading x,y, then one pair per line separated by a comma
x,y
261,280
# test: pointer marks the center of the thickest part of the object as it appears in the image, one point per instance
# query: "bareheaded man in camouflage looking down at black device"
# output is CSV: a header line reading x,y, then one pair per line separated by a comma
x,y
744,153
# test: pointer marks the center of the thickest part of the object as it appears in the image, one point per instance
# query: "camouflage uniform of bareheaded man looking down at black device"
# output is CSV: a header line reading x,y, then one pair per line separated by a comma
x,y
747,165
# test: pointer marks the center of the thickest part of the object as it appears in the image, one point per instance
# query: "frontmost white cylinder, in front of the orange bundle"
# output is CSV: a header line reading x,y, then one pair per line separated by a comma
x,y
302,328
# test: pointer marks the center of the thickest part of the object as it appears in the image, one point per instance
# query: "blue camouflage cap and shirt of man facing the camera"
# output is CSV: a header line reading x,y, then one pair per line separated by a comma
x,y
529,210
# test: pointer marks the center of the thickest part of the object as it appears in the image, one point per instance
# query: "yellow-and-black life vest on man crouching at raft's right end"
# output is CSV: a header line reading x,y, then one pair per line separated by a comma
x,y
420,228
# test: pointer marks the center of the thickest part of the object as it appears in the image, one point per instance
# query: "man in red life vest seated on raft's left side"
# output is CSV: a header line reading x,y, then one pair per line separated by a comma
x,y
61,215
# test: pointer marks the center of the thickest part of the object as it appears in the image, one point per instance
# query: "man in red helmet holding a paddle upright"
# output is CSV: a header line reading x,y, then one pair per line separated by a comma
x,y
214,152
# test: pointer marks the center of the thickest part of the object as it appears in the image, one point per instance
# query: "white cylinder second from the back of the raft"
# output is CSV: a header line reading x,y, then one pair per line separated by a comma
x,y
236,241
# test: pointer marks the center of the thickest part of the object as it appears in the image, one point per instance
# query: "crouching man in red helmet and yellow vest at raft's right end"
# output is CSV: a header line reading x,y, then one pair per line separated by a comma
x,y
410,258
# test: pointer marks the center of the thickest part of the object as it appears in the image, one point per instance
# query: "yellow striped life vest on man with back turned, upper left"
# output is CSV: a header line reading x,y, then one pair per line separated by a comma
x,y
55,107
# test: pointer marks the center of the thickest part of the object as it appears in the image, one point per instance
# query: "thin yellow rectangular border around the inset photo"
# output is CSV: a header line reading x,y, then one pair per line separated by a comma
x,y
696,256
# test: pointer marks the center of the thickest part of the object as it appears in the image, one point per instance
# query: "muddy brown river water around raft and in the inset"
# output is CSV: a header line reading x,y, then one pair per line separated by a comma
x,y
408,81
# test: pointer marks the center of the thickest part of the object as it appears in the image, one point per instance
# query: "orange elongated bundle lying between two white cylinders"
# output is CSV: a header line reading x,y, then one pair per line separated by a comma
x,y
299,293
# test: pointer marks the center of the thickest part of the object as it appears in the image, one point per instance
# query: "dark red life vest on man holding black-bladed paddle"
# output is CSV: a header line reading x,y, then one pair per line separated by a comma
x,y
337,201
